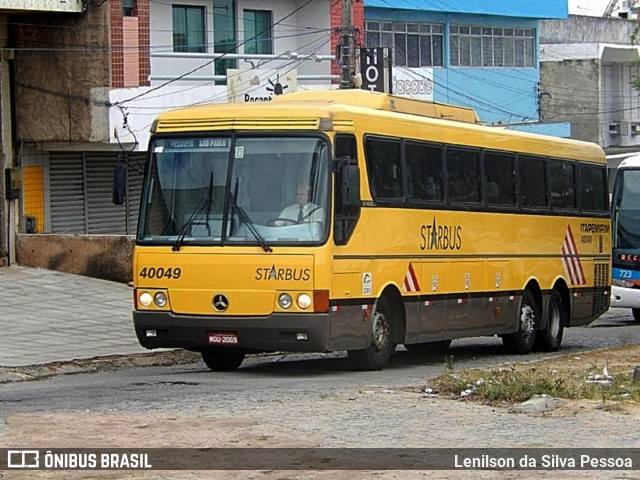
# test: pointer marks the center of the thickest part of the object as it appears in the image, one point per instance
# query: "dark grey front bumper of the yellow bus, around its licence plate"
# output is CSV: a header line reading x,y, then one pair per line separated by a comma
x,y
277,332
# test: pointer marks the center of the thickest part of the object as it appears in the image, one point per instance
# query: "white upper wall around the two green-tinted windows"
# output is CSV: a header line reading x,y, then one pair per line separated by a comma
x,y
305,33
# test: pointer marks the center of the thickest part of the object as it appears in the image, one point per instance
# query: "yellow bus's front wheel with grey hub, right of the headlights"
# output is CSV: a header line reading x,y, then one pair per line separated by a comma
x,y
376,355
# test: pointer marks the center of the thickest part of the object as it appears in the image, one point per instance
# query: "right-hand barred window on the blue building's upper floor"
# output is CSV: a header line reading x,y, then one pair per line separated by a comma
x,y
474,46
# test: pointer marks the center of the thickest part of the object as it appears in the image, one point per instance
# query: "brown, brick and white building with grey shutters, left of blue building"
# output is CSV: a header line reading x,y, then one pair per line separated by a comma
x,y
86,88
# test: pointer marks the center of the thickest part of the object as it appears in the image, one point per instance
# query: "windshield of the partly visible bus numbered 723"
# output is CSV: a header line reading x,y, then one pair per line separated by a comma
x,y
626,210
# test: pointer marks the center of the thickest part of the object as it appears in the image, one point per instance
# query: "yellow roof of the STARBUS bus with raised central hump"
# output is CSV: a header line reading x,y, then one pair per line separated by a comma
x,y
307,110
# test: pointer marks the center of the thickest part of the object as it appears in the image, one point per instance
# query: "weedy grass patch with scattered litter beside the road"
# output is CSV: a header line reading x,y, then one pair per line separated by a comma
x,y
515,385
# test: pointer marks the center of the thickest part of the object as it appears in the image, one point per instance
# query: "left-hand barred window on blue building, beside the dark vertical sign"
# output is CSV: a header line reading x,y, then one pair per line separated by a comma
x,y
413,44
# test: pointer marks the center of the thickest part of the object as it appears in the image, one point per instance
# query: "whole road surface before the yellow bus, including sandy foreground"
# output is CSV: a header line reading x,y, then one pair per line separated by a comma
x,y
311,401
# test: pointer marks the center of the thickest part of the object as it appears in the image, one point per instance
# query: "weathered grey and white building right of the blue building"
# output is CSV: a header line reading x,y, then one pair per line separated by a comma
x,y
588,84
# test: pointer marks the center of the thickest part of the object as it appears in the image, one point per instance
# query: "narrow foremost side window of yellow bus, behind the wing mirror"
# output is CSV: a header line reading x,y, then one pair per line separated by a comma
x,y
346,216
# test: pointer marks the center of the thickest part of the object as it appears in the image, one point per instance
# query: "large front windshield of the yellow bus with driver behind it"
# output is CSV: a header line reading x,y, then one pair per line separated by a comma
x,y
236,190
